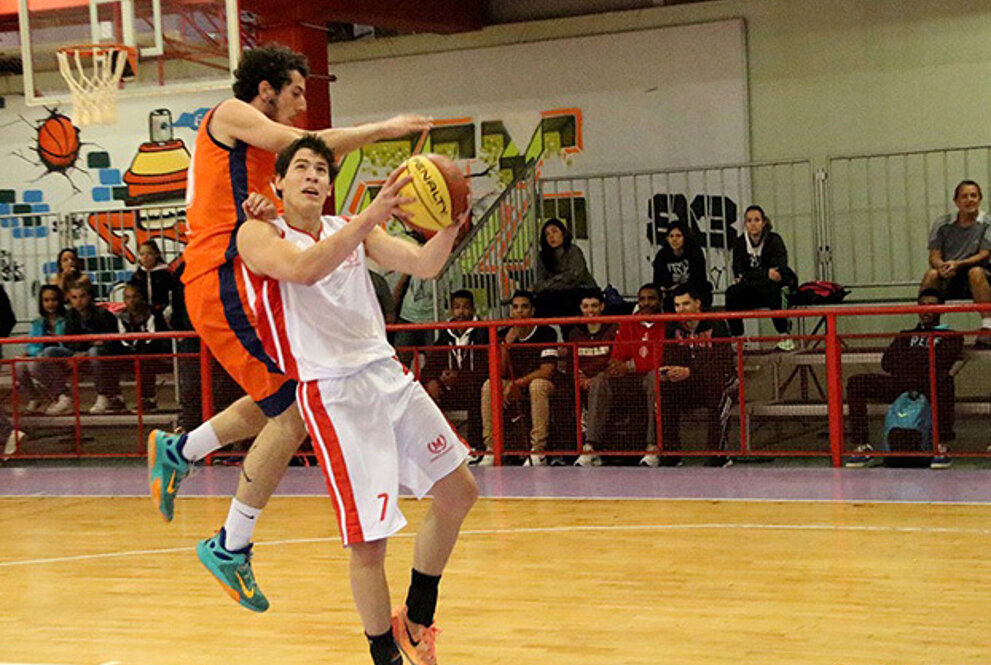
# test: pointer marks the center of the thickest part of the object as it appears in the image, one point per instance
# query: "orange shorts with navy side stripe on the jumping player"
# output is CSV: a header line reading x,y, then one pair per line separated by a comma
x,y
216,305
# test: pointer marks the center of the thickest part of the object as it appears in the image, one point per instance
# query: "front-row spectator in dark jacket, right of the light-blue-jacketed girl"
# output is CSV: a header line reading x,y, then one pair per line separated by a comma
x,y
85,318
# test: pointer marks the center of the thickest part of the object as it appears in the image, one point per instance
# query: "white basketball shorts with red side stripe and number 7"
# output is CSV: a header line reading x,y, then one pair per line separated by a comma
x,y
373,431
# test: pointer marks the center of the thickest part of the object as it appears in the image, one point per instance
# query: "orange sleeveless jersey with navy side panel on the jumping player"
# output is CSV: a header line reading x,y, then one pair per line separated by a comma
x,y
220,179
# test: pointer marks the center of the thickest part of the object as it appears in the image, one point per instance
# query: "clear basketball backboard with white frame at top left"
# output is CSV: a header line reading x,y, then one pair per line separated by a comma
x,y
182,45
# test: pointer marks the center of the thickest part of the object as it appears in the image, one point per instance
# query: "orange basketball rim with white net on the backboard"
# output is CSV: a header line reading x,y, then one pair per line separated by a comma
x,y
93,72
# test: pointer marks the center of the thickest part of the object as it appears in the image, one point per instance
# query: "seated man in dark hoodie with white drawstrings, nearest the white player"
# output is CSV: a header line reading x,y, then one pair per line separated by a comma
x,y
454,378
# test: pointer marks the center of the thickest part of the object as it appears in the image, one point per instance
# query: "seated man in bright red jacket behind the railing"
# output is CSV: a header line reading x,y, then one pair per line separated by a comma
x,y
634,359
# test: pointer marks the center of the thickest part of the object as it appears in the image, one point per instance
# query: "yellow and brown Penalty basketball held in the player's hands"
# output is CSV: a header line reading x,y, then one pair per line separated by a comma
x,y
440,190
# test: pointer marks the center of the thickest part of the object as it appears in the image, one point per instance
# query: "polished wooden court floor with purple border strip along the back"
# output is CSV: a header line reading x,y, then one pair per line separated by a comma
x,y
686,566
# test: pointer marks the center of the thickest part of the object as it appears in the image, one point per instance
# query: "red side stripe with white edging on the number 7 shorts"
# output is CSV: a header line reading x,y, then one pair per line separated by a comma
x,y
332,461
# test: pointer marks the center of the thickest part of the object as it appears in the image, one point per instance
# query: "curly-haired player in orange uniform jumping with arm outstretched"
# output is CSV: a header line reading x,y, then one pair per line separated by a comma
x,y
234,156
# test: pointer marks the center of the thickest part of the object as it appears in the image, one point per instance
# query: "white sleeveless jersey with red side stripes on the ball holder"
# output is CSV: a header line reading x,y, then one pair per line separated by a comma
x,y
331,329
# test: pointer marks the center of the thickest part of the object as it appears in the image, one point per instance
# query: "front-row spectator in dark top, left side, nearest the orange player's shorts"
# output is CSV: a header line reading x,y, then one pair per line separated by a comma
x,y
138,317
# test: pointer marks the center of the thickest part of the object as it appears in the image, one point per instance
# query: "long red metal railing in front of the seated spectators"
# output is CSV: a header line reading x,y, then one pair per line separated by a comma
x,y
832,344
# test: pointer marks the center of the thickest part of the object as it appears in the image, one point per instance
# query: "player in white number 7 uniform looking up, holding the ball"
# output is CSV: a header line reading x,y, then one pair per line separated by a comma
x,y
374,428
